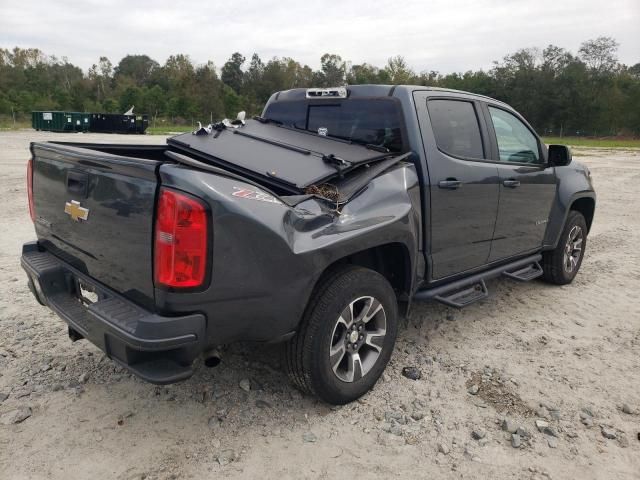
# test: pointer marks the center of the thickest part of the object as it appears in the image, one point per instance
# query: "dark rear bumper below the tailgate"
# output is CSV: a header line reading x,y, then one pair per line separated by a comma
x,y
157,349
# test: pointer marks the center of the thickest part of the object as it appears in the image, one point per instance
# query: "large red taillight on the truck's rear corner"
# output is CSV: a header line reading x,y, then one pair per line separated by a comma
x,y
180,240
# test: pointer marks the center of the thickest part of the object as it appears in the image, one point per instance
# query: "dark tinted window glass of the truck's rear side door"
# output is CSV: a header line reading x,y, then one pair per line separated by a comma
x,y
455,126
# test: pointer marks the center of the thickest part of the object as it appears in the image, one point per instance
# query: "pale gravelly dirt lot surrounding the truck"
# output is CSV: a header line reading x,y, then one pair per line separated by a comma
x,y
569,356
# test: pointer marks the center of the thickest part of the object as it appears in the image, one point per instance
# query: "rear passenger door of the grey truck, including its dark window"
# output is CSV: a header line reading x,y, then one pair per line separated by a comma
x,y
464,184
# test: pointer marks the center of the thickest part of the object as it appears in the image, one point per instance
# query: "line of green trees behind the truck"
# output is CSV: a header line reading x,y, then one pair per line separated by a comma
x,y
584,93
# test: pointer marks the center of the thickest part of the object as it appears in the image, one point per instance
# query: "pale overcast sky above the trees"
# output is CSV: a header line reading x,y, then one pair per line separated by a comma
x,y
443,35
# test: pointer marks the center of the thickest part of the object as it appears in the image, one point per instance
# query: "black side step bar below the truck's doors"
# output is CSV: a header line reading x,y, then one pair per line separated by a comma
x,y
463,292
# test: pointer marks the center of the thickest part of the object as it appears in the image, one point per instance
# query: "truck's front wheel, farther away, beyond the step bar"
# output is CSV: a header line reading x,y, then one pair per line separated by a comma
x,y
561,265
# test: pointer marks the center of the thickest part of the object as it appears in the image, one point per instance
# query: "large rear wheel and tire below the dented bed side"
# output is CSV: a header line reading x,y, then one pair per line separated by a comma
x,y
346,337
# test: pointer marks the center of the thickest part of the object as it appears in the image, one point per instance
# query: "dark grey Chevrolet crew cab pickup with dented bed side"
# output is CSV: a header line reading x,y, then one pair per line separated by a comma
x,y
315,224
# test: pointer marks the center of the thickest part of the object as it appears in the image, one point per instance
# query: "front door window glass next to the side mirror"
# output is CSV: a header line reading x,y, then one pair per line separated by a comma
x,y
516,143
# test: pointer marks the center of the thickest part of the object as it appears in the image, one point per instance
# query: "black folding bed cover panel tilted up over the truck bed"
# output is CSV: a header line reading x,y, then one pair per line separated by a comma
x,y
278,156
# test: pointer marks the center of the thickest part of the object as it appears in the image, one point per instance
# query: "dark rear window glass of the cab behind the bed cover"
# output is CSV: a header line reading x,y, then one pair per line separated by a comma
x,y
371,121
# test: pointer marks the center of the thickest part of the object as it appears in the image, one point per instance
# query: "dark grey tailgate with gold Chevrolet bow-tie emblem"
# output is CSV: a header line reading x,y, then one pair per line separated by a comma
x,y
95,211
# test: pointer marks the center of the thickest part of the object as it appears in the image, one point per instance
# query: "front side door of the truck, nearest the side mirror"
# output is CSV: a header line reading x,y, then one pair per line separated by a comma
x,y
527,184
